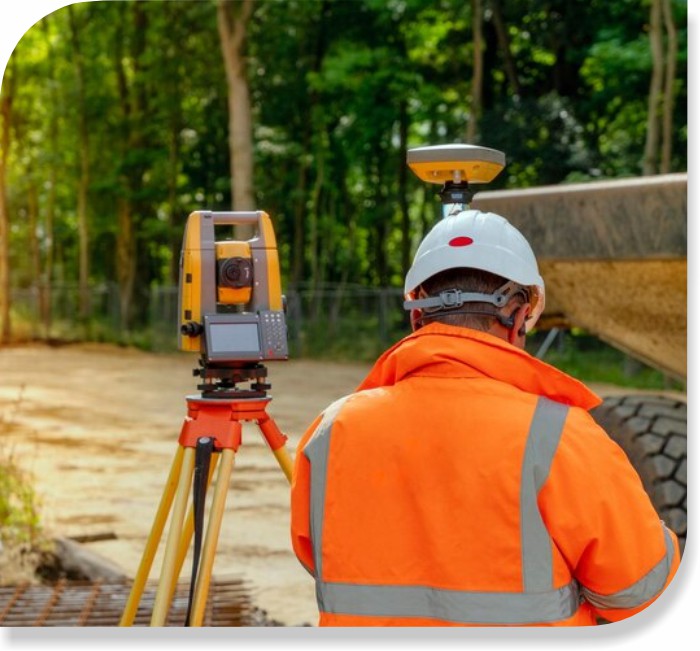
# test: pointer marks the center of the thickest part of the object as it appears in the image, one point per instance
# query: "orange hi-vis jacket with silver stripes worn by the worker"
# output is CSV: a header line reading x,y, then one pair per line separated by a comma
x,y
465,483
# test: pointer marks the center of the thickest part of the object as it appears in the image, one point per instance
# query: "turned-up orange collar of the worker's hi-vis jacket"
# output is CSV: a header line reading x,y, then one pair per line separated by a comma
x,y
443,350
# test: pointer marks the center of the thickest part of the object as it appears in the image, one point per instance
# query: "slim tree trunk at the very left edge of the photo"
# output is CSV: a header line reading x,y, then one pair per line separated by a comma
x,y
6,99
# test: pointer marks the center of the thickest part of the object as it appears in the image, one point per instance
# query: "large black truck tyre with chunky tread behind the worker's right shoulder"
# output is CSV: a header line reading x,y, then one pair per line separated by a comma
x,y
652,431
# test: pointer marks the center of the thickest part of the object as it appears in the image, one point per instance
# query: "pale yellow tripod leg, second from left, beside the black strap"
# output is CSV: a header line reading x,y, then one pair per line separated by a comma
x,y
167,576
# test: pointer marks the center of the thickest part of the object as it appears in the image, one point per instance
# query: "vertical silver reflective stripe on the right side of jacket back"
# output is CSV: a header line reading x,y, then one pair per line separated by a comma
x,y
536,544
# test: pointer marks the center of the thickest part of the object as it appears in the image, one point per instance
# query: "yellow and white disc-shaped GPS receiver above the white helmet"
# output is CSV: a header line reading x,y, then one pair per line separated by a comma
x,y
457,163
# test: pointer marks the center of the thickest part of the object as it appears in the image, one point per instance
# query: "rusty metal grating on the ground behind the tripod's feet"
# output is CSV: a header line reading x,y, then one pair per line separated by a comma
x,y
83,603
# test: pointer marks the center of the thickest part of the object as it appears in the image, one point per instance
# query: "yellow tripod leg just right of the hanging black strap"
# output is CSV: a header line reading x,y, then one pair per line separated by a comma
x,y
212,536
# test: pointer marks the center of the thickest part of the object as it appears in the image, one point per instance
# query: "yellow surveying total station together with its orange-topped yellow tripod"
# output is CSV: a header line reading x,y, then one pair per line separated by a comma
x,y
231,312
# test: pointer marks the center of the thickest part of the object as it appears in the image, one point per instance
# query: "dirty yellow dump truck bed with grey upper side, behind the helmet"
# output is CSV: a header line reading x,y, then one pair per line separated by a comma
x,y
613,255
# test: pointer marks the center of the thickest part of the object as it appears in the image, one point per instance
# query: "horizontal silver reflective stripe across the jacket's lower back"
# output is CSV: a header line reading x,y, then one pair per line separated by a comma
x,y
457,606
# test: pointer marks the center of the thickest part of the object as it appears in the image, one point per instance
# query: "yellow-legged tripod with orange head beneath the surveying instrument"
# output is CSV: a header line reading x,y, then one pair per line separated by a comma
x,y
216,422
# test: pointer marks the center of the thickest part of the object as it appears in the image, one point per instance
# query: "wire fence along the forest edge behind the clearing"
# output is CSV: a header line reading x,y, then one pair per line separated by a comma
x,y
339,322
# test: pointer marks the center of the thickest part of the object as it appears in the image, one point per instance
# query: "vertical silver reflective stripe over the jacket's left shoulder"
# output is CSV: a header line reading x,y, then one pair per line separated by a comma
x,y
316,451
